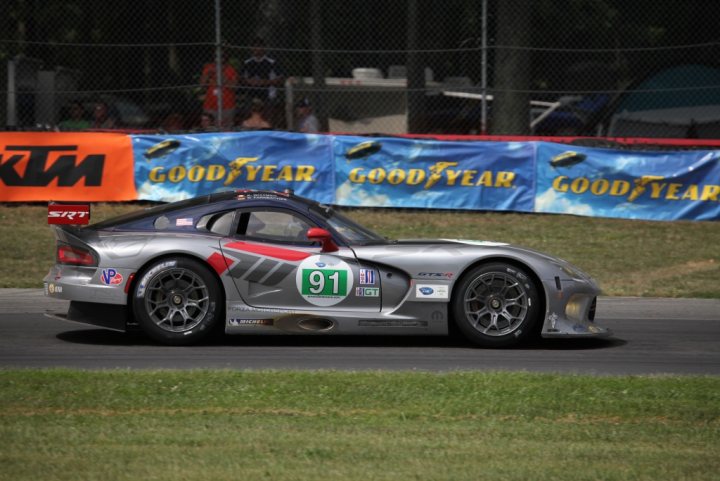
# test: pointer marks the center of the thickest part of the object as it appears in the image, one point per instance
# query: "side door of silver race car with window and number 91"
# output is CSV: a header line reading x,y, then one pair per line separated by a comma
x,y
274,265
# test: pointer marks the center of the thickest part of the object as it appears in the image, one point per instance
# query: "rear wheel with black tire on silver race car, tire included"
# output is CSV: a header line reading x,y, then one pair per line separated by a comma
x,y
177,301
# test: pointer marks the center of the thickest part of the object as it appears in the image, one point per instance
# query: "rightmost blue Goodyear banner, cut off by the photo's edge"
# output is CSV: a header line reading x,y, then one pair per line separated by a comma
x,y
632,185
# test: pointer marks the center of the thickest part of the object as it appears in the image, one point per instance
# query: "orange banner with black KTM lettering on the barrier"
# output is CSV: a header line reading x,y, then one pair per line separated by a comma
x,y
42,166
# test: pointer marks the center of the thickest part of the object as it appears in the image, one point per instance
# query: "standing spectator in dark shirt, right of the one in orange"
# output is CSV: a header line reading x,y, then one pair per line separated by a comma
x,y
261,75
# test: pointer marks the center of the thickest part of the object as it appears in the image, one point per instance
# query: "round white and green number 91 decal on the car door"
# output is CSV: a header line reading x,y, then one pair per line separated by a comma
x,y
324,280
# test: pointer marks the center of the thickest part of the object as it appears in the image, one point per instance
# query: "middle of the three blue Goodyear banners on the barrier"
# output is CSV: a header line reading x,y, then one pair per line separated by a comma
x,y
397,172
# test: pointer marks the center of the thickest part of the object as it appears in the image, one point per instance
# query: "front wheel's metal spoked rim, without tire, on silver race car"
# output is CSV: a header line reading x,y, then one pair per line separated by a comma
x,y
496,304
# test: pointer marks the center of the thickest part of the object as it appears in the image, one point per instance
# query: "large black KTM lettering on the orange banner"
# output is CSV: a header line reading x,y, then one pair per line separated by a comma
x,y
37,172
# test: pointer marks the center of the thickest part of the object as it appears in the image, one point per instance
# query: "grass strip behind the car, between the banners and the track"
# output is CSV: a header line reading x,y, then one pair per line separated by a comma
x,y
630,258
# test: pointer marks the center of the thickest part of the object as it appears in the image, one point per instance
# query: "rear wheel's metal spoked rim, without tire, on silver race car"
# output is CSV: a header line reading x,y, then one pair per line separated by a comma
x,y
177,300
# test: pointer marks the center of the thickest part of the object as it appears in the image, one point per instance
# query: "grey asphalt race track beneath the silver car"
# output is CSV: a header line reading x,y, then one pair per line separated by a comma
x,y
652,336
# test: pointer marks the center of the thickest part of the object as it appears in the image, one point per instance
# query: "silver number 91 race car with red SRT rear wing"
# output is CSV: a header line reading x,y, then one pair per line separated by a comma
x,y
260,262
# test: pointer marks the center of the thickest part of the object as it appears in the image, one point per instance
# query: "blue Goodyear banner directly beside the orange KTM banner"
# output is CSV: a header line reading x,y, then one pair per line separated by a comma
x,y
175,167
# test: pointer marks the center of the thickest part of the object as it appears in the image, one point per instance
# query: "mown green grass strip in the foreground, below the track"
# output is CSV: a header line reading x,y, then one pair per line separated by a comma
x,y
170,425
